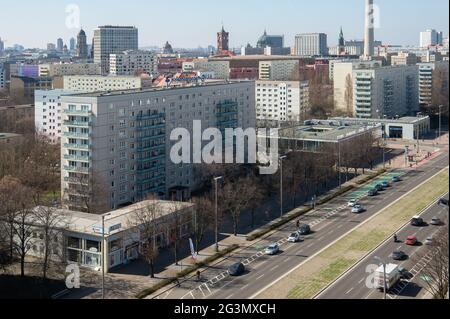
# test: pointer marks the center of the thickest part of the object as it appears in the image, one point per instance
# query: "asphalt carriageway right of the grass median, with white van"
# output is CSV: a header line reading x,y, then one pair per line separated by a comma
x,y
353,284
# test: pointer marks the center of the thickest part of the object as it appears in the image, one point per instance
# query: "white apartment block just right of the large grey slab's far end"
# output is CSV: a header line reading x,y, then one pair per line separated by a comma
x,y
281,101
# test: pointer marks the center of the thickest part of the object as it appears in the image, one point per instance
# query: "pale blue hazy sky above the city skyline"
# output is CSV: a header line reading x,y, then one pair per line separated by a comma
x,y
193,23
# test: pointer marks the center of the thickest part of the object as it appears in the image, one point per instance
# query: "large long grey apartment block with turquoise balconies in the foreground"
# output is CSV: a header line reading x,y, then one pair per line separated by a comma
x,y
123,139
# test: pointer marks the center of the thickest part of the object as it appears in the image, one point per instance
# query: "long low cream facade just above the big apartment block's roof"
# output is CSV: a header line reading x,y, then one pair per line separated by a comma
x,y
93,83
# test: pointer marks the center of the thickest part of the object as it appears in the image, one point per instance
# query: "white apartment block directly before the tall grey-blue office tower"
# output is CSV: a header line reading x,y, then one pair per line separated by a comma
x,y
132,62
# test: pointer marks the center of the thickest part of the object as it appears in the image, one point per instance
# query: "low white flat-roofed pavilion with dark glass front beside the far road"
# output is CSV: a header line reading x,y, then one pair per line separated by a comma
x,y
407,128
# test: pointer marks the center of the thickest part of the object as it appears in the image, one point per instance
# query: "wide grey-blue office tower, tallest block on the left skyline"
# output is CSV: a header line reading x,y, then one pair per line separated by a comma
x,y
113,40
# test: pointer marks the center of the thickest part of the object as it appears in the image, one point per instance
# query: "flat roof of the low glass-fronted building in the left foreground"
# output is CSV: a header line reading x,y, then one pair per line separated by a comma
x,y
115,221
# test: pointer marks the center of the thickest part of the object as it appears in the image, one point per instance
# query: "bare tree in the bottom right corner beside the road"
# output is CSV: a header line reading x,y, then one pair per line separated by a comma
x,y
436,272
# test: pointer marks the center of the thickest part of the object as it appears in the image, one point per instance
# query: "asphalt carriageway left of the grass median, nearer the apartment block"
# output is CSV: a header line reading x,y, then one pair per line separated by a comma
x,y
329,222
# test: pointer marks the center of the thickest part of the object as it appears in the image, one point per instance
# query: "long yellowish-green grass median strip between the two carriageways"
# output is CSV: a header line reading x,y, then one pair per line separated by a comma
x,y
314,275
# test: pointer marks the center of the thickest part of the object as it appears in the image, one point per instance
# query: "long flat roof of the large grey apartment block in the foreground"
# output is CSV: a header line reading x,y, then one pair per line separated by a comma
x,y
156,89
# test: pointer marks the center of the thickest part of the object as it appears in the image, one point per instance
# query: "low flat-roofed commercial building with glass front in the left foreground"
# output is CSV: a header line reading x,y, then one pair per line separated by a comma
x,y
84,239
